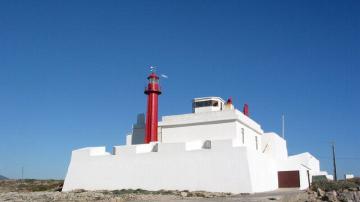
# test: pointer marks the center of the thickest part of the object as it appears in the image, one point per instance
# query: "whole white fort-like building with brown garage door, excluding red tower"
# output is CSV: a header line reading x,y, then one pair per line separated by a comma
x,y
215,148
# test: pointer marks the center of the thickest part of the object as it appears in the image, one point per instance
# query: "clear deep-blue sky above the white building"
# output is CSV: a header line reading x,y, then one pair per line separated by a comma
x,y
72,73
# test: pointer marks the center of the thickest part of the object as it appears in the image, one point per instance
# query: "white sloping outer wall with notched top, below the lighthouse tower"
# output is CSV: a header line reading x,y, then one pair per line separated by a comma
x,y
221,168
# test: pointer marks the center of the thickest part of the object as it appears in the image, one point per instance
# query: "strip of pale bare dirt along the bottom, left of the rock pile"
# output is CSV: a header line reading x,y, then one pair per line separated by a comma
x,y
289,196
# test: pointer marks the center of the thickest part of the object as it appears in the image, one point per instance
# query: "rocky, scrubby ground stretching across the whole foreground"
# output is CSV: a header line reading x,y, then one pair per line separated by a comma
x,y
48,190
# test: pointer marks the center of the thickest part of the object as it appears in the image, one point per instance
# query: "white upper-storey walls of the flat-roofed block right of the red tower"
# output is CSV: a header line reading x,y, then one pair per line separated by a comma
x,y
215,125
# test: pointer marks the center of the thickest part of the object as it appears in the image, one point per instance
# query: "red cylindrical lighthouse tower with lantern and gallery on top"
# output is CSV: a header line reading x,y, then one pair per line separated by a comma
x,y
152,91
